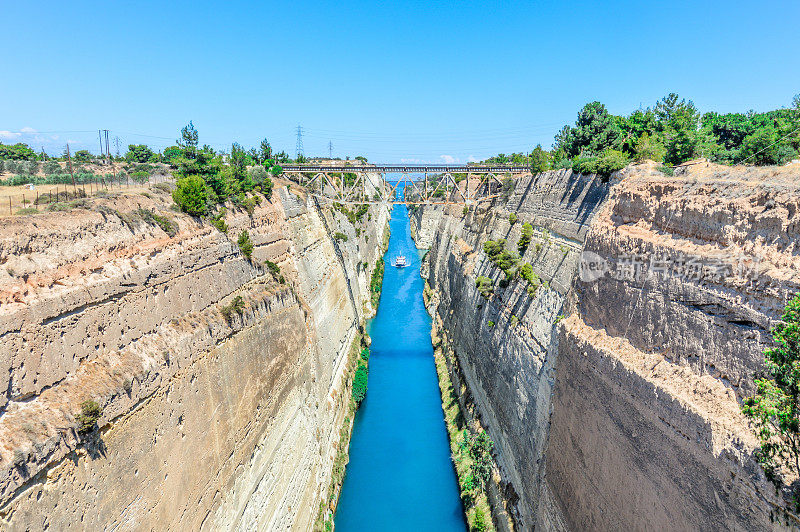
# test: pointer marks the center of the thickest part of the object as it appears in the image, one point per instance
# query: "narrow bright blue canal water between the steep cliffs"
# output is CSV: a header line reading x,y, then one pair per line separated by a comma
x,y
400,476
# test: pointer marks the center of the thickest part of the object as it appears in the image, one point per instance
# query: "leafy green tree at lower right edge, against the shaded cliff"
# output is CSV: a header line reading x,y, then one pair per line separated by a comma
x,y
775,408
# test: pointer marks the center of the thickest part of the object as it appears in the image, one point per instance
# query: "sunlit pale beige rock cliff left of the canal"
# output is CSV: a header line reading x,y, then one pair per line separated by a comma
x,y
209,420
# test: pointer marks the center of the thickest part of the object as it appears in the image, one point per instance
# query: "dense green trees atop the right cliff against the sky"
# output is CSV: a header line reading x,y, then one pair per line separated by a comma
x,y
671,132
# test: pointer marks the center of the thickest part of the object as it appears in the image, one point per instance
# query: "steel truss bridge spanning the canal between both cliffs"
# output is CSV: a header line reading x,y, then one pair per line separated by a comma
x,y
435,184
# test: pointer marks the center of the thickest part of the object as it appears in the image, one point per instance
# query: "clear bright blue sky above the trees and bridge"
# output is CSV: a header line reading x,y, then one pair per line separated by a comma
x,y
414,81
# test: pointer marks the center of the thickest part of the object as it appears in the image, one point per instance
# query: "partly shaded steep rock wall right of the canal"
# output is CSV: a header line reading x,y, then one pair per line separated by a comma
x,y
613,399
